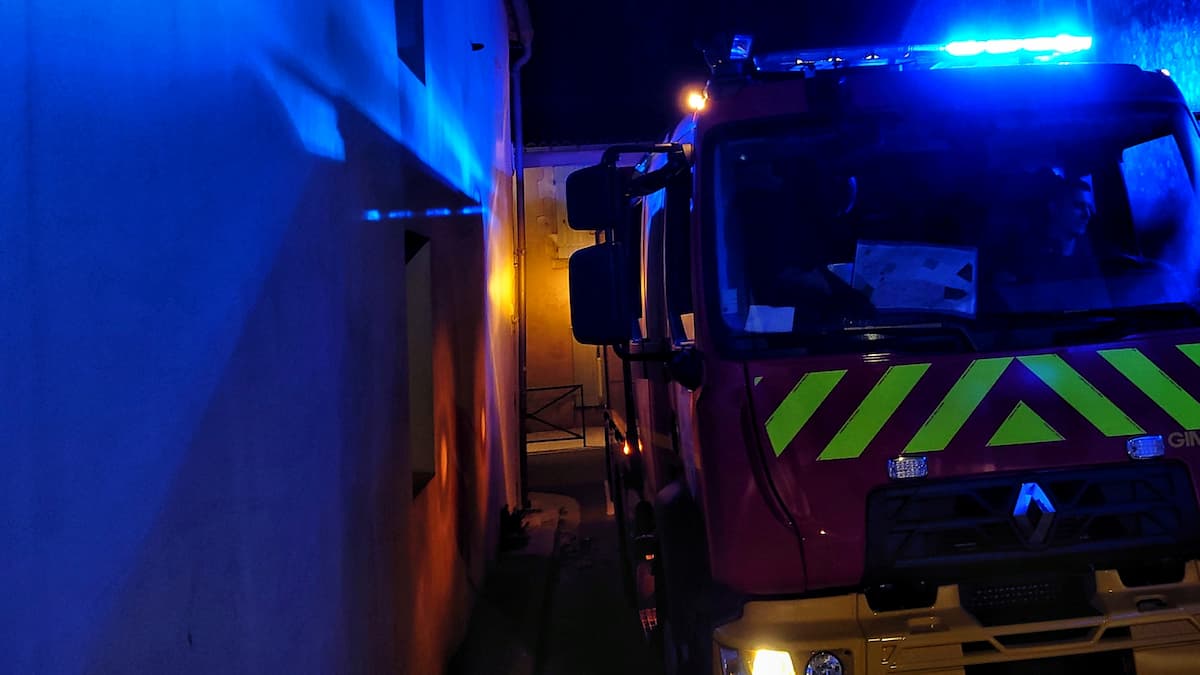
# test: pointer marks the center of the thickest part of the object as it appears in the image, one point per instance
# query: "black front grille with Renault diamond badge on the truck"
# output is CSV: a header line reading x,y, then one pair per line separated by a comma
x,y
971,529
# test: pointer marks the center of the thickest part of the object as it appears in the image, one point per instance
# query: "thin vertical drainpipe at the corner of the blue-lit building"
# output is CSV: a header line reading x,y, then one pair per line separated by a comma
x,y
525,31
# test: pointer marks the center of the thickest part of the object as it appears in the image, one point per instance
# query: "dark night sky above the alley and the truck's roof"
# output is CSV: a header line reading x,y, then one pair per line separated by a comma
x,y
614,71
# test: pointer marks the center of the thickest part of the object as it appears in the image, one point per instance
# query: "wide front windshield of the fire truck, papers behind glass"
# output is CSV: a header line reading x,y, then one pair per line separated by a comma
x,y
982,222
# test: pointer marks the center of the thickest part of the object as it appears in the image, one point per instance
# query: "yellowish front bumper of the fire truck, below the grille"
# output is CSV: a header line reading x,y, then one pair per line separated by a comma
x,y
1160,626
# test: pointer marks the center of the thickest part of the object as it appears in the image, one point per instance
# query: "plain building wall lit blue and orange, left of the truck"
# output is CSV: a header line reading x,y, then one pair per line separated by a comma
x,y
229,229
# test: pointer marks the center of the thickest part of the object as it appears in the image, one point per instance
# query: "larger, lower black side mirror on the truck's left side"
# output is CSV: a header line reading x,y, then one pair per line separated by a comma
x,y
602,312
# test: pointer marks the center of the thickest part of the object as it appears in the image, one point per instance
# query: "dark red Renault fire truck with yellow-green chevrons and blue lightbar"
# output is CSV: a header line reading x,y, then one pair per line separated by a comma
x,y
904,361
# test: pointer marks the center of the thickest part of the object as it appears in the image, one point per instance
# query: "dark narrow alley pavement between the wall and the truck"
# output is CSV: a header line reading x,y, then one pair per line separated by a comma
x,y
557,606
